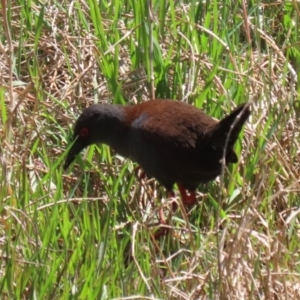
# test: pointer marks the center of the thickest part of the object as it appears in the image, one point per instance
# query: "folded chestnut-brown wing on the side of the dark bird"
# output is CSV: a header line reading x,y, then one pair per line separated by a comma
x,y
170,133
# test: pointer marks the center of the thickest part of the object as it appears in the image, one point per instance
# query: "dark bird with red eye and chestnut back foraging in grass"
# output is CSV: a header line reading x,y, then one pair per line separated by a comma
x,y
172,141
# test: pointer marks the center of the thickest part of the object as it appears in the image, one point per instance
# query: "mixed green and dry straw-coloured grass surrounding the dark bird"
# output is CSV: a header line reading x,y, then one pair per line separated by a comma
x,y
88,233
